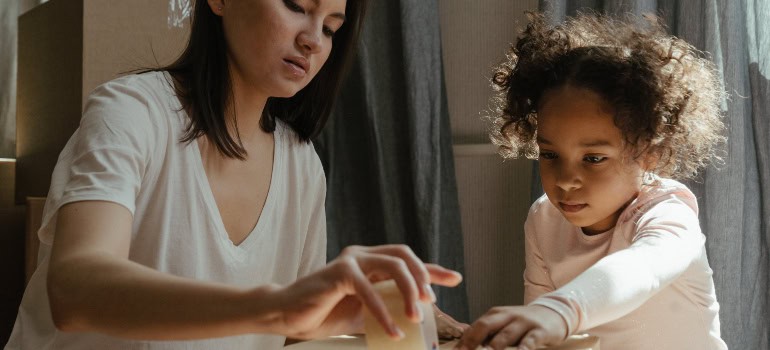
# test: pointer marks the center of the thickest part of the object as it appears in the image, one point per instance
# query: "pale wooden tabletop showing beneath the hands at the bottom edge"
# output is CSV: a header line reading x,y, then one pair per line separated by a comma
x,y
580,342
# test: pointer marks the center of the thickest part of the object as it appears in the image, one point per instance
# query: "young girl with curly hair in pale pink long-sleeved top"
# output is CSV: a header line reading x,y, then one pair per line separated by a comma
x,y
613,110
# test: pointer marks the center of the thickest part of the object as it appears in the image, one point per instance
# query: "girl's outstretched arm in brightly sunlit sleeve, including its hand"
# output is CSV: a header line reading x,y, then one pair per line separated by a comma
x,y
667,241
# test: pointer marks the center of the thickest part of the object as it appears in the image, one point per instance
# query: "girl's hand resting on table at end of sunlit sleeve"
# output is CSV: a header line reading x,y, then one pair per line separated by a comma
x,y
527,327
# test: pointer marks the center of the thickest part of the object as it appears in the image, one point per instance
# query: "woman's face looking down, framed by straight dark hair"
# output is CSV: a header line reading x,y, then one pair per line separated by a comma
x,y
276,47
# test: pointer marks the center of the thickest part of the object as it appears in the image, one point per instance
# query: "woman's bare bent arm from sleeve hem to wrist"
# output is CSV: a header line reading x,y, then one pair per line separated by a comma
x,y
93,287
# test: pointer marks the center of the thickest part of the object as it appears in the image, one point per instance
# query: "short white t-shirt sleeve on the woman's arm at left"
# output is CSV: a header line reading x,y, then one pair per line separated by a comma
x,y
106,157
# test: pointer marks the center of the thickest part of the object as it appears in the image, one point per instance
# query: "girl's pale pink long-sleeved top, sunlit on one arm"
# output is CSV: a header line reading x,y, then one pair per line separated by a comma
x,y
645,284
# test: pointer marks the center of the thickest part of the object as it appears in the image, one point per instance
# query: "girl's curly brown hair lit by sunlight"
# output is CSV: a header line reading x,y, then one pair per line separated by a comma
x,y
666,95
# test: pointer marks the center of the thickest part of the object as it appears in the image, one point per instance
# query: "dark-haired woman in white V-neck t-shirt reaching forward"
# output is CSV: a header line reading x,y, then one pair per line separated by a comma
x,y
189,204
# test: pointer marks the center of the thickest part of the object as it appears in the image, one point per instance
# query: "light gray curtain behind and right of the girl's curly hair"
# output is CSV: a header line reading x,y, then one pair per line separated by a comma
x,y
734,198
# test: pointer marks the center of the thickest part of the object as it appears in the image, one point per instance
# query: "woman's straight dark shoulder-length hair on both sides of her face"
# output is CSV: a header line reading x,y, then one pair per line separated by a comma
x,y
202,82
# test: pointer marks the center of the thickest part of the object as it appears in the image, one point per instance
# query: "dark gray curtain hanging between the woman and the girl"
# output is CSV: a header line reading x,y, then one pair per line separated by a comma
x,y
387,148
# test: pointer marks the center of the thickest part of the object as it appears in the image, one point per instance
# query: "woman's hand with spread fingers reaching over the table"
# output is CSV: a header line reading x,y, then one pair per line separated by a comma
x,y
329,301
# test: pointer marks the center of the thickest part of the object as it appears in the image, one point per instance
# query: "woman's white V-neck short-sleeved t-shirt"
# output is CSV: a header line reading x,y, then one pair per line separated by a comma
x,y
127,151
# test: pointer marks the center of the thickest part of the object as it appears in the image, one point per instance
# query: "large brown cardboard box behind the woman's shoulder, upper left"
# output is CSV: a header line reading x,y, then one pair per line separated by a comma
x,y
66,49
